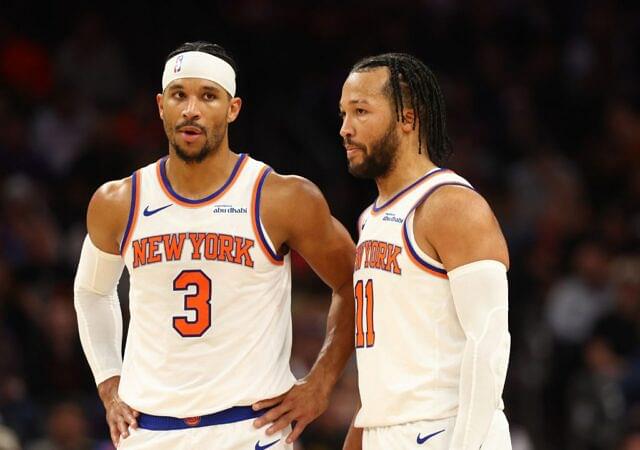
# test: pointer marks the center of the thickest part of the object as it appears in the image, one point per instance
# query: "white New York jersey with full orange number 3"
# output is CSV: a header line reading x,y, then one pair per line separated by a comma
x,y
210,298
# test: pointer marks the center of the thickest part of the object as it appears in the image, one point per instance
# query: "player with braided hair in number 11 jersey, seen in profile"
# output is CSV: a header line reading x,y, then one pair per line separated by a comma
x,y
430,282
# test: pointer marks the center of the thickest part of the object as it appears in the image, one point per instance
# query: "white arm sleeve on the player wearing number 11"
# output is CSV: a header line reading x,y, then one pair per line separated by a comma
x,y
480,294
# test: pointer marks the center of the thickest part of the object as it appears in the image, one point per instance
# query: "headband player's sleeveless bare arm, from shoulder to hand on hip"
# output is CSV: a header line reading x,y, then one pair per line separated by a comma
x,y
325,244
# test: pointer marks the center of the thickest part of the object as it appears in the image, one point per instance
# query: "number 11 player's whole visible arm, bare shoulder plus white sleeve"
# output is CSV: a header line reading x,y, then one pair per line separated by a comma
x,y
457,226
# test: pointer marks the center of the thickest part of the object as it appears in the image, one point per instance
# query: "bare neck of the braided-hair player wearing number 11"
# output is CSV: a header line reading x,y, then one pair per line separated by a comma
x,y
407,168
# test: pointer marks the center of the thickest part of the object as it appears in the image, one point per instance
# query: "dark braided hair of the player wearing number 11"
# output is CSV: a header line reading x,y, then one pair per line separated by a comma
x,y
411,80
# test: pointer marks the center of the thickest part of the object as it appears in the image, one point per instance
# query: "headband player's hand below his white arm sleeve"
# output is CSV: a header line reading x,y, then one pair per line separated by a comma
x,y
120,416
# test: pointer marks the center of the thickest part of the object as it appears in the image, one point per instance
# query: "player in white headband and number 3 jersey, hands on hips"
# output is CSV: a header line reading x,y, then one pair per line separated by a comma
x,y
206,234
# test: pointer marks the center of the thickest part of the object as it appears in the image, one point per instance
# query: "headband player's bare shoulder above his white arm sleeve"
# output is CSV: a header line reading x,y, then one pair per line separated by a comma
x,y
108,213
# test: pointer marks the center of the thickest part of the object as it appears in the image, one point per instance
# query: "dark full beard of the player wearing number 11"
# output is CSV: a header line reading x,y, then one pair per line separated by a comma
x,y
380,158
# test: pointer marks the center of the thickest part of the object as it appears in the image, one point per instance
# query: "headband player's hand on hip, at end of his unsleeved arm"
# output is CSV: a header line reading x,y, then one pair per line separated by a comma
x,y
304,402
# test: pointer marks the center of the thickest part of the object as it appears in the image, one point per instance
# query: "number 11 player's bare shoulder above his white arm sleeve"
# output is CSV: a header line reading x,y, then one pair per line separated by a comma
x,y
461,226
